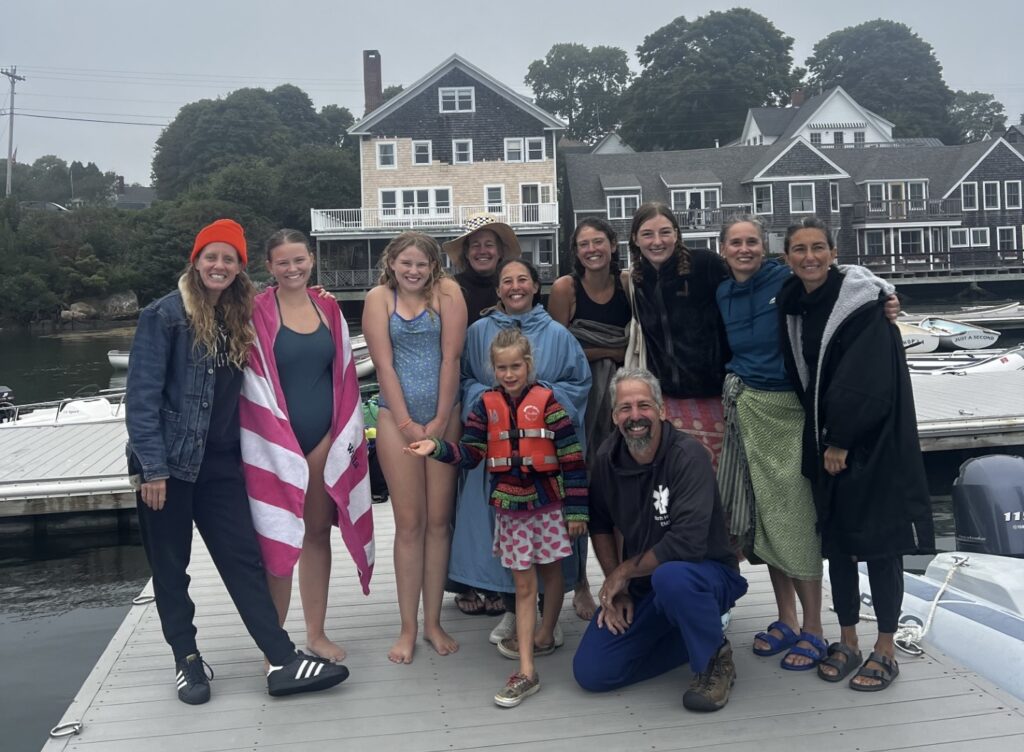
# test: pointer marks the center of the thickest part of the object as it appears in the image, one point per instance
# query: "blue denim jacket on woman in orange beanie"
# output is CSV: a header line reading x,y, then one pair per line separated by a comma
x,y
169,395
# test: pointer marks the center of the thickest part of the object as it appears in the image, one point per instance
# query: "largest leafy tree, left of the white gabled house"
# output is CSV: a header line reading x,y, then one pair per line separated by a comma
x,y
701,77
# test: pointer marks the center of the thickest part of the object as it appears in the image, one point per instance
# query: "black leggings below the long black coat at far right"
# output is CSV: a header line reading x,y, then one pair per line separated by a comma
x,y
886,577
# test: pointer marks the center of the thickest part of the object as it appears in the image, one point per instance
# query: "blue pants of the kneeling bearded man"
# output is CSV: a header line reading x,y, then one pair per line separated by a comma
x,y
680,621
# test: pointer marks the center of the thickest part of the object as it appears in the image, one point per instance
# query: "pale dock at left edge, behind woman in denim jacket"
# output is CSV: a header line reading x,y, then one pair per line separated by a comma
x,y
72,468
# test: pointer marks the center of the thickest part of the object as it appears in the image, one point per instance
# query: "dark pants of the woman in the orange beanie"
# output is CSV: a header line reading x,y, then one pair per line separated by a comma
x,y
219,505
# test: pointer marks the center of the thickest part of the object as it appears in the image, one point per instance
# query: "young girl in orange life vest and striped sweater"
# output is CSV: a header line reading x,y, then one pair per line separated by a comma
x,y
538,489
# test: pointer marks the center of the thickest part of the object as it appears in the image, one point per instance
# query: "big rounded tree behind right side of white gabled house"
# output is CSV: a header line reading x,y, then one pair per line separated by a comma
x,y
889,70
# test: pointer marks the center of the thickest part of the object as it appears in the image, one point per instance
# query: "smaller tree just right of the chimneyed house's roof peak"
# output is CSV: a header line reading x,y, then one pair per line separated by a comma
x,y
583,86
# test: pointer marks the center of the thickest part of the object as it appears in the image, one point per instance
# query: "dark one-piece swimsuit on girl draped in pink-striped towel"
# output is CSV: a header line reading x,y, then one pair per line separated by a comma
x,y
306,365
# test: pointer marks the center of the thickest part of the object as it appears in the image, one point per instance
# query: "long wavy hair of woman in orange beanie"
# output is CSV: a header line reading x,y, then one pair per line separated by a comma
x,y
236,306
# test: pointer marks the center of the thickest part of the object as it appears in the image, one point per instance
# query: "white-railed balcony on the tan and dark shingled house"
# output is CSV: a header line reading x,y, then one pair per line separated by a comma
x,y
436,221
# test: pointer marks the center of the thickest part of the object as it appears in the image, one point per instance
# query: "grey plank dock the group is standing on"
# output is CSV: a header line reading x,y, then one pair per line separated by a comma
x,y
129,702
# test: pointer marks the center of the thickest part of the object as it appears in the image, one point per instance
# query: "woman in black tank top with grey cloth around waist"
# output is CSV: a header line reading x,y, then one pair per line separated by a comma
x,y
592,305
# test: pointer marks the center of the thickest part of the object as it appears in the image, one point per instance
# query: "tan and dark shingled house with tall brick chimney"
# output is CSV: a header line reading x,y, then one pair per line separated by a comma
x,y
454,144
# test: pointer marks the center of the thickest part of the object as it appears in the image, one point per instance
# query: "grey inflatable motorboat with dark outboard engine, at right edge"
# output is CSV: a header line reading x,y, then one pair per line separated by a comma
x,y
969,604
